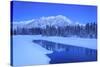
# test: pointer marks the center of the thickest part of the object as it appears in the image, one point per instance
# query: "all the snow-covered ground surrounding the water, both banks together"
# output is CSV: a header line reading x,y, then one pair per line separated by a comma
x,y
25,52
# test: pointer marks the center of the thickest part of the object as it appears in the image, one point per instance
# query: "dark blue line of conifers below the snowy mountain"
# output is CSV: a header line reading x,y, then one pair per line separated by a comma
x,y
88,31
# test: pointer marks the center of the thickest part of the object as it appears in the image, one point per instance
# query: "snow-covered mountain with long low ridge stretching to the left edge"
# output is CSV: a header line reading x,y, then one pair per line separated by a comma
x,y
42,22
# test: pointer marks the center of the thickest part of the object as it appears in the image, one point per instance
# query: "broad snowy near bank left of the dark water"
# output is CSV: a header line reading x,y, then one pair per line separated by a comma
x,y
25,52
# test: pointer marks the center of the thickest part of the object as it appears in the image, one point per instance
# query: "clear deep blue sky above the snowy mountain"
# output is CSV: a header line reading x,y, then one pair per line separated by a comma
x,y
23,11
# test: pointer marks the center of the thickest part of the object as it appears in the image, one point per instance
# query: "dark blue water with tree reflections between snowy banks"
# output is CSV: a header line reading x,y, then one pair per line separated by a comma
x,y
64,53
